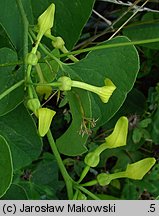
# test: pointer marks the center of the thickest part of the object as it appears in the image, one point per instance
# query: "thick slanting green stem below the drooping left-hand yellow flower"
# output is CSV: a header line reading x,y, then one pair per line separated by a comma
x,y
62,168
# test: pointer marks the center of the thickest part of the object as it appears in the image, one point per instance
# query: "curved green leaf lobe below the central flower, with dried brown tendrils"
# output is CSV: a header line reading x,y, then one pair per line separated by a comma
x,y
72,142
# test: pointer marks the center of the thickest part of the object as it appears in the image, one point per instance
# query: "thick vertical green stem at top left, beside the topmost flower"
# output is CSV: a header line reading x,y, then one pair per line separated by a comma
x,y
25,26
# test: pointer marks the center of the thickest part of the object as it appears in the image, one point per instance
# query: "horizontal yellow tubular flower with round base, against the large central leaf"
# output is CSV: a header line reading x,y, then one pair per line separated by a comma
x,y
104,92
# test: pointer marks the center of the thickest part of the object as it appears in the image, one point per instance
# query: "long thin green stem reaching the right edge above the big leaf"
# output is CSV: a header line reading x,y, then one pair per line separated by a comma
x,y
111,46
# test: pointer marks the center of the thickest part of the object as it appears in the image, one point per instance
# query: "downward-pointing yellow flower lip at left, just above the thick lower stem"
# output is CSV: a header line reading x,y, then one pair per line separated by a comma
x,y
45,116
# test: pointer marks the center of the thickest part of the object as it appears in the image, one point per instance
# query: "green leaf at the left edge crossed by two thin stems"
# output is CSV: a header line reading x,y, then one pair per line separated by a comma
x,y
9,76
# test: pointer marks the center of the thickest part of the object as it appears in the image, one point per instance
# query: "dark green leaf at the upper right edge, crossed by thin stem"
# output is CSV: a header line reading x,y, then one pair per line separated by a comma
x,y
144,31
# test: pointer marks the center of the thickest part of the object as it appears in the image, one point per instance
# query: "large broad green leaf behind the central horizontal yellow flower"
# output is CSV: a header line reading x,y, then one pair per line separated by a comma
x,y
120,64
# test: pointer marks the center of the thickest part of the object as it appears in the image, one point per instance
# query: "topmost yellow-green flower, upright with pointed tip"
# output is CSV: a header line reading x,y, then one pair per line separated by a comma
x,y
46,21
